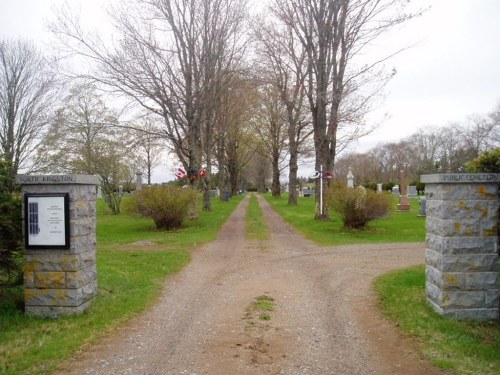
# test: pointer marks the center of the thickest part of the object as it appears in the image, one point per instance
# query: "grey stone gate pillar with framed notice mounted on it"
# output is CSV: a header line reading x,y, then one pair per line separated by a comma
x,y
60,276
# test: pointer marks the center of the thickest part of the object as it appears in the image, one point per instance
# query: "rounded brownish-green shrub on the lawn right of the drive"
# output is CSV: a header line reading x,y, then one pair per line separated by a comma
x,y
357,206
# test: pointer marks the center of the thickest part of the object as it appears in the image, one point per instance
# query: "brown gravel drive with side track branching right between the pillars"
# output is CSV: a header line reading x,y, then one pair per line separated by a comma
x,y
324,319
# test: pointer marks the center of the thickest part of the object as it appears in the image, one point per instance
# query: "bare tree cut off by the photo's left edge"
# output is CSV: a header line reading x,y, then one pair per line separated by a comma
x,y
27,98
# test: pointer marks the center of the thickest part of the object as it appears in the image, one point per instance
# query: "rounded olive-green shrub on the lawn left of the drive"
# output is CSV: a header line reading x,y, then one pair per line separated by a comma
x,y
167,205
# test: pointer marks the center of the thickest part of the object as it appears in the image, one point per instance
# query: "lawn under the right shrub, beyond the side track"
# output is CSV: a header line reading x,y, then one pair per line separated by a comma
x,y
397,227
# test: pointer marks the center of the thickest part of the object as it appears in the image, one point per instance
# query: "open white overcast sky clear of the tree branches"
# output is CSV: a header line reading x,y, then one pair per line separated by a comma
x,y
452,72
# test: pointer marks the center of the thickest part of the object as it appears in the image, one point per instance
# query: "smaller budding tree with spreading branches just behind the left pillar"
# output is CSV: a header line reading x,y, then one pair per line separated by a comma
x,y
84,138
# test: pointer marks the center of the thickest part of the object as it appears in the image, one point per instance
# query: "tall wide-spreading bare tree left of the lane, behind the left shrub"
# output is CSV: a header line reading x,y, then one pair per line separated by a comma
x,y
173,58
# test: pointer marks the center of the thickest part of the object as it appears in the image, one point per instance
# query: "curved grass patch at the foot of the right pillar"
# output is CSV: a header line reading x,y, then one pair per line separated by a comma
x,y
461,347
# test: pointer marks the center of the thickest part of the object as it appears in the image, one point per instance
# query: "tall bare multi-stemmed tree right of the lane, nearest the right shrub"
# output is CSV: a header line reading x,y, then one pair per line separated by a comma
x,y
333,33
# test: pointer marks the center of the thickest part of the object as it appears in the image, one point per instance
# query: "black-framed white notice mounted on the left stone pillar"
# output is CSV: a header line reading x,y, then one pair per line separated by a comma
x,y
54,204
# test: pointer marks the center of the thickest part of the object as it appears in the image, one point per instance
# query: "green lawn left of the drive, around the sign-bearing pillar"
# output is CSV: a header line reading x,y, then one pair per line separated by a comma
x,y
130,279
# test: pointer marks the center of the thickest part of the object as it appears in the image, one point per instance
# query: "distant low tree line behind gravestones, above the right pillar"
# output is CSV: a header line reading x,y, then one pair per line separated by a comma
x,y
429,150
